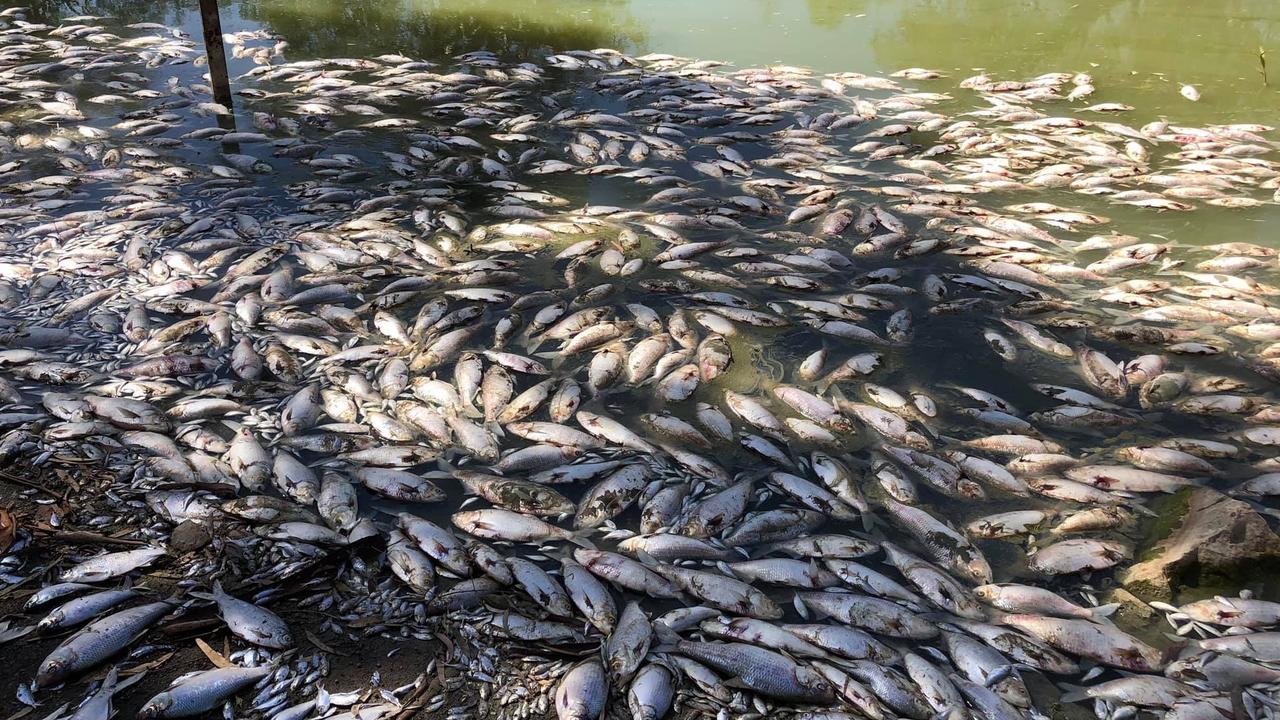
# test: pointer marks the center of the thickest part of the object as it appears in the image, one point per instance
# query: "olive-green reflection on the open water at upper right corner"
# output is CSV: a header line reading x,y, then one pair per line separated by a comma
x,y
1139,51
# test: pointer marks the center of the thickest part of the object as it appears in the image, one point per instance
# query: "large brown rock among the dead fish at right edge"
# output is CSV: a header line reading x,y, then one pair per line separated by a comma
x,y
1217,539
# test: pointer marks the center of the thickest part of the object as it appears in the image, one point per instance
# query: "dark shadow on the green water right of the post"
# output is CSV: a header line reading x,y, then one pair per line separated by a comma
x,y
426,29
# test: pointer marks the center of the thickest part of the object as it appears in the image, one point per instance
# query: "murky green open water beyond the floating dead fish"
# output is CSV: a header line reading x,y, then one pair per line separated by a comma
x,y
1139,52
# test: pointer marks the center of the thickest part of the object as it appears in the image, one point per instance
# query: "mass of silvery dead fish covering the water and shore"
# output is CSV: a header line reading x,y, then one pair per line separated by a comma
x,y
852,404
